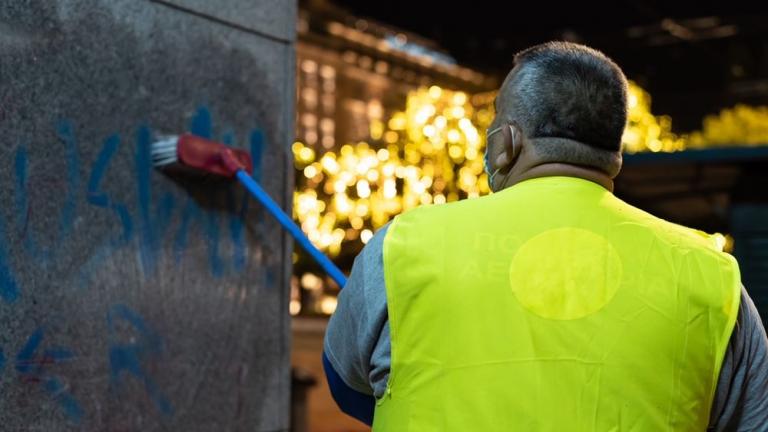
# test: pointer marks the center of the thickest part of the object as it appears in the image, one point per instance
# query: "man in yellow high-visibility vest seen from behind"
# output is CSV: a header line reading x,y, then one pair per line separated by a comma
x,y
550,305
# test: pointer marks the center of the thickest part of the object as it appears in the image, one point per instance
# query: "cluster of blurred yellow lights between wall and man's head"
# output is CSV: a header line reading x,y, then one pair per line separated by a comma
x,y
428,153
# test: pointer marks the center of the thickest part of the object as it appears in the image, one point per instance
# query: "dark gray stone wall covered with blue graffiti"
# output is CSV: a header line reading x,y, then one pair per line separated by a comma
x,y
130,299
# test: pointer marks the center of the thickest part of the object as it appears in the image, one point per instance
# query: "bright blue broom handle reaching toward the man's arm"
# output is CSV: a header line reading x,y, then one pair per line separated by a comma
x,y
291,226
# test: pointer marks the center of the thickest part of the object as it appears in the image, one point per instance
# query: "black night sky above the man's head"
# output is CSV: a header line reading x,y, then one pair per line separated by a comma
x,y
691,66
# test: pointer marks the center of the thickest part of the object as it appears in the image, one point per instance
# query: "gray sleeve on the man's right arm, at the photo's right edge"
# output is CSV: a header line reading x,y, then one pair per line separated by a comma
x,y
741,400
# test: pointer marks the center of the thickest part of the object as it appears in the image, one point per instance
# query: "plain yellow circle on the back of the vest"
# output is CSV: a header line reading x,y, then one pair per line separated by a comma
x,y
565,273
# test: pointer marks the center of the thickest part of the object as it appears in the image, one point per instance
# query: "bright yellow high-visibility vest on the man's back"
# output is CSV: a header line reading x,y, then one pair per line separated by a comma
x,y
553,306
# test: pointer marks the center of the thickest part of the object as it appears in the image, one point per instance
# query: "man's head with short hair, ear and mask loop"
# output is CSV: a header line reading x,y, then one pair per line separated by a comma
x,y
564,102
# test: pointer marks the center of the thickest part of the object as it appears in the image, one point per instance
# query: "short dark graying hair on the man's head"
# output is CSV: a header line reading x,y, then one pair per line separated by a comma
x,y
567,90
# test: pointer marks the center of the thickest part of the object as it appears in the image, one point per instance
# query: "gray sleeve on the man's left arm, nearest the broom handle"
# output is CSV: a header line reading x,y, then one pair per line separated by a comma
x,y
357,338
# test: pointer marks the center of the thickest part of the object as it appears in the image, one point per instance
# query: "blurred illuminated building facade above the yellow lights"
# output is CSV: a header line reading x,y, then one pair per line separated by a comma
x,y
351,71
